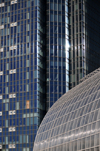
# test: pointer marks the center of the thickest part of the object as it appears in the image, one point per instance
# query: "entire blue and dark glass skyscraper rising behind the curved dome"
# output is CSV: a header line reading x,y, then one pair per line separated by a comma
x,y
43,45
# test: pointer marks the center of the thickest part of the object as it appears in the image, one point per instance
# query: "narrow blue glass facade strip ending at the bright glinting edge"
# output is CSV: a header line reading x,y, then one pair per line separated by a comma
x,y
57,54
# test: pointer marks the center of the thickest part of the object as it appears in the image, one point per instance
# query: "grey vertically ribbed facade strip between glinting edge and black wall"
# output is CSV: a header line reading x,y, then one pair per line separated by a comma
x,y
77,40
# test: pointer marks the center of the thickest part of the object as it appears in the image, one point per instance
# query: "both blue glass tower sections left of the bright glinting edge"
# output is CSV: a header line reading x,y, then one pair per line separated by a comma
x,y
33,66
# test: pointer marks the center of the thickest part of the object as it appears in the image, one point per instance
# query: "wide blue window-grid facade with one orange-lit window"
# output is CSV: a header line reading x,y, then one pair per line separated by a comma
x,y
22,67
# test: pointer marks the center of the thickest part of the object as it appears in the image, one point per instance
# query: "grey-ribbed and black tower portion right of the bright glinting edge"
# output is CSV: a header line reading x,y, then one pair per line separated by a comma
x,y
84,18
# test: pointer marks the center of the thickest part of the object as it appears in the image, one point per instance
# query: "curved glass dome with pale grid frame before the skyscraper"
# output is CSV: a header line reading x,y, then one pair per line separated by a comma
x,y
73,122
